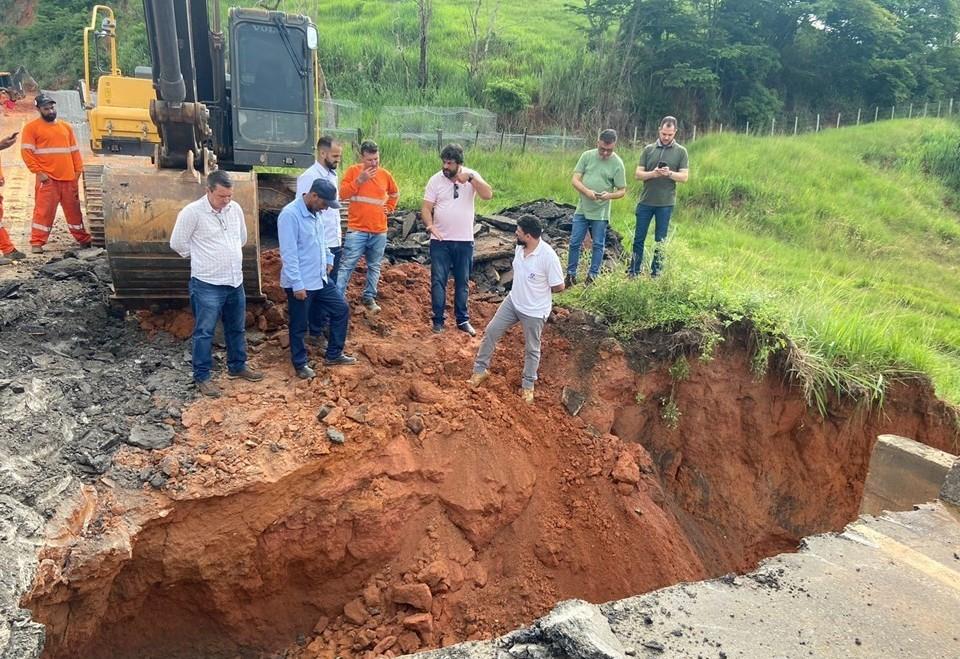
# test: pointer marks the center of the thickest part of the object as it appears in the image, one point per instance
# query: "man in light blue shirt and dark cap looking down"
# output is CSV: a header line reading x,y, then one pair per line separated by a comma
x,y
307,263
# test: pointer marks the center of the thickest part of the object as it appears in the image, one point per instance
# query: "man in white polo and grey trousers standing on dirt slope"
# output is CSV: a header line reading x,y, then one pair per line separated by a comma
x,y
537,274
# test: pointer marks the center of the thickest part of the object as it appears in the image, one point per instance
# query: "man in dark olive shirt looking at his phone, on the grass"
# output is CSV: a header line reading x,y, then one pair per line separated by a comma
x,y
662,165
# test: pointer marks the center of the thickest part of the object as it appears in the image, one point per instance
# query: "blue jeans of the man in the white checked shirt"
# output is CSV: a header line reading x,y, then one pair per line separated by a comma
x,y
210,302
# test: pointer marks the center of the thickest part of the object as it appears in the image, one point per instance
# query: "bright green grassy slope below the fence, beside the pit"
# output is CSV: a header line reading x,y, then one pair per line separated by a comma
x,y
840,247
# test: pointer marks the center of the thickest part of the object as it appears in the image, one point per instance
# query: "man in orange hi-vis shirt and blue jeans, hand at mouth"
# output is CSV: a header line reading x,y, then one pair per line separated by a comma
x,y
372,194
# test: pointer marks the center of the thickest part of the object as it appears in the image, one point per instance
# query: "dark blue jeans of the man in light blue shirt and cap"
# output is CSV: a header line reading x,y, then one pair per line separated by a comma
x,y
322,304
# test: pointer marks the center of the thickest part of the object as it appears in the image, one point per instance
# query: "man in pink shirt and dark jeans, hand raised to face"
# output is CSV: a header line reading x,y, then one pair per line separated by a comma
x,y
448,213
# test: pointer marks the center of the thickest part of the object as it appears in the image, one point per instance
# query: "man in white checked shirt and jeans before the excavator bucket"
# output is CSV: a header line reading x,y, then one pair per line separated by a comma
x,y
211,232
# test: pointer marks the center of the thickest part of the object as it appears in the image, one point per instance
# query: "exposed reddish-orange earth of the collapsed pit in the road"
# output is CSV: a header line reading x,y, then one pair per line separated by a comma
x,y
388,507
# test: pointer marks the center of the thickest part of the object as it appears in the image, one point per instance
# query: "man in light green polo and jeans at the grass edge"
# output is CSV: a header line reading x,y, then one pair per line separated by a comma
x,y
599,177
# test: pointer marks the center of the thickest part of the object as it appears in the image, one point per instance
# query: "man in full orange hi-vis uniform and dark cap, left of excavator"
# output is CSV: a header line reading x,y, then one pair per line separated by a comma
x,y
49,149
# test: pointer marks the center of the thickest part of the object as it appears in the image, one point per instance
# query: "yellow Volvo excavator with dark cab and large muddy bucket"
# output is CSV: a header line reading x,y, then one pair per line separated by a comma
x,y
204,107
